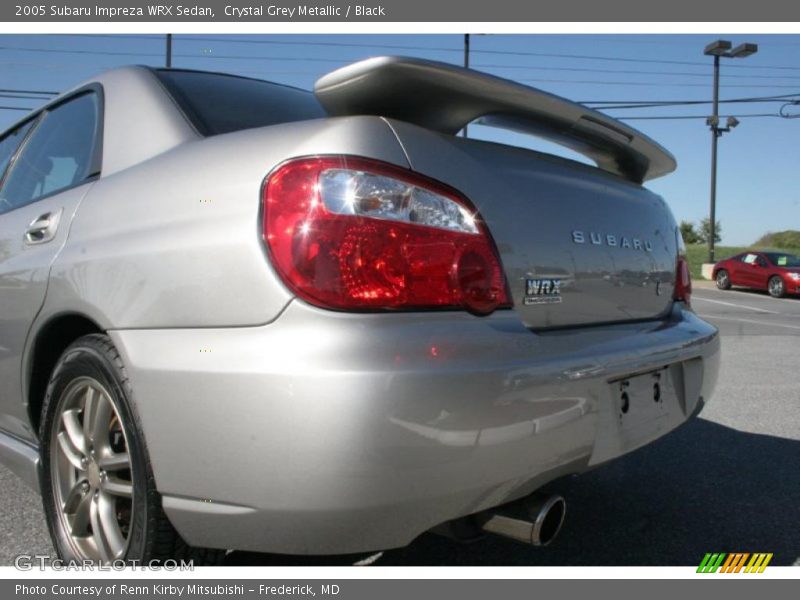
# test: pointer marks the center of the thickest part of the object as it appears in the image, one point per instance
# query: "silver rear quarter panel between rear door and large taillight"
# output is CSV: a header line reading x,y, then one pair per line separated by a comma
x,y
175,241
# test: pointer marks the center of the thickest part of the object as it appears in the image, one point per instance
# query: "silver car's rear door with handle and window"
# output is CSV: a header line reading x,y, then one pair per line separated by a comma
x,y
44,182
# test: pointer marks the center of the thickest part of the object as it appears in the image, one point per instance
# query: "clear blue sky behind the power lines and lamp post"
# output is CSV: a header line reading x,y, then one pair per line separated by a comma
x,y
758,161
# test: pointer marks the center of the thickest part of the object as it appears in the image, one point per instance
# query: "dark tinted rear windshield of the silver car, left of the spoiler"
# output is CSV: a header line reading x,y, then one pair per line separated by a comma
x,y
216,103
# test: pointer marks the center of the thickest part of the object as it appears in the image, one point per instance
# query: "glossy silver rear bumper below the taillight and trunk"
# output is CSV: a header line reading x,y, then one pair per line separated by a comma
x,y
331,433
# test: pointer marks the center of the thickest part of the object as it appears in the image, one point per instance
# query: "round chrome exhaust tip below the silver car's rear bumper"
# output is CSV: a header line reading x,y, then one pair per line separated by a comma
x,y
545,518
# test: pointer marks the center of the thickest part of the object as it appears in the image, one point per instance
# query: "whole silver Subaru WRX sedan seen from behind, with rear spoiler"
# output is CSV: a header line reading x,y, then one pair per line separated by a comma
x,y
239,315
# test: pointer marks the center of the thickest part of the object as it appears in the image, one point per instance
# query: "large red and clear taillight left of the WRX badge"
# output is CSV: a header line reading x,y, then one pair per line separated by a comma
x,y
355,234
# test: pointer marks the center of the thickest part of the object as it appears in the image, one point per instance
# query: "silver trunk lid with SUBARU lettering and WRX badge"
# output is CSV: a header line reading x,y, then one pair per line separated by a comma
x,y
579,246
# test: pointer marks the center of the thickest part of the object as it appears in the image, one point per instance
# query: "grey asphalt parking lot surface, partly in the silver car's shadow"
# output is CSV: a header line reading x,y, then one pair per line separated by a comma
x,y
728,481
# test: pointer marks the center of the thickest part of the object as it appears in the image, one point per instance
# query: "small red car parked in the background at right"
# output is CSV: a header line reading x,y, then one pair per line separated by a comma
x,y
776,272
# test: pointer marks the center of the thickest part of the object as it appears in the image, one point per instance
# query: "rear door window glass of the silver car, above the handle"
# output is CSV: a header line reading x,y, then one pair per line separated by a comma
x,y
59,154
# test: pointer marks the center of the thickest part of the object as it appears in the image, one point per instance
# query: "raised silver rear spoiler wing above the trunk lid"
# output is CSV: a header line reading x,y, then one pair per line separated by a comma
x,y
445,98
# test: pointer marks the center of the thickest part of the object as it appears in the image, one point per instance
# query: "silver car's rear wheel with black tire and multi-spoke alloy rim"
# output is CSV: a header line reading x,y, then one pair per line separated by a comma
x,y
98,490
